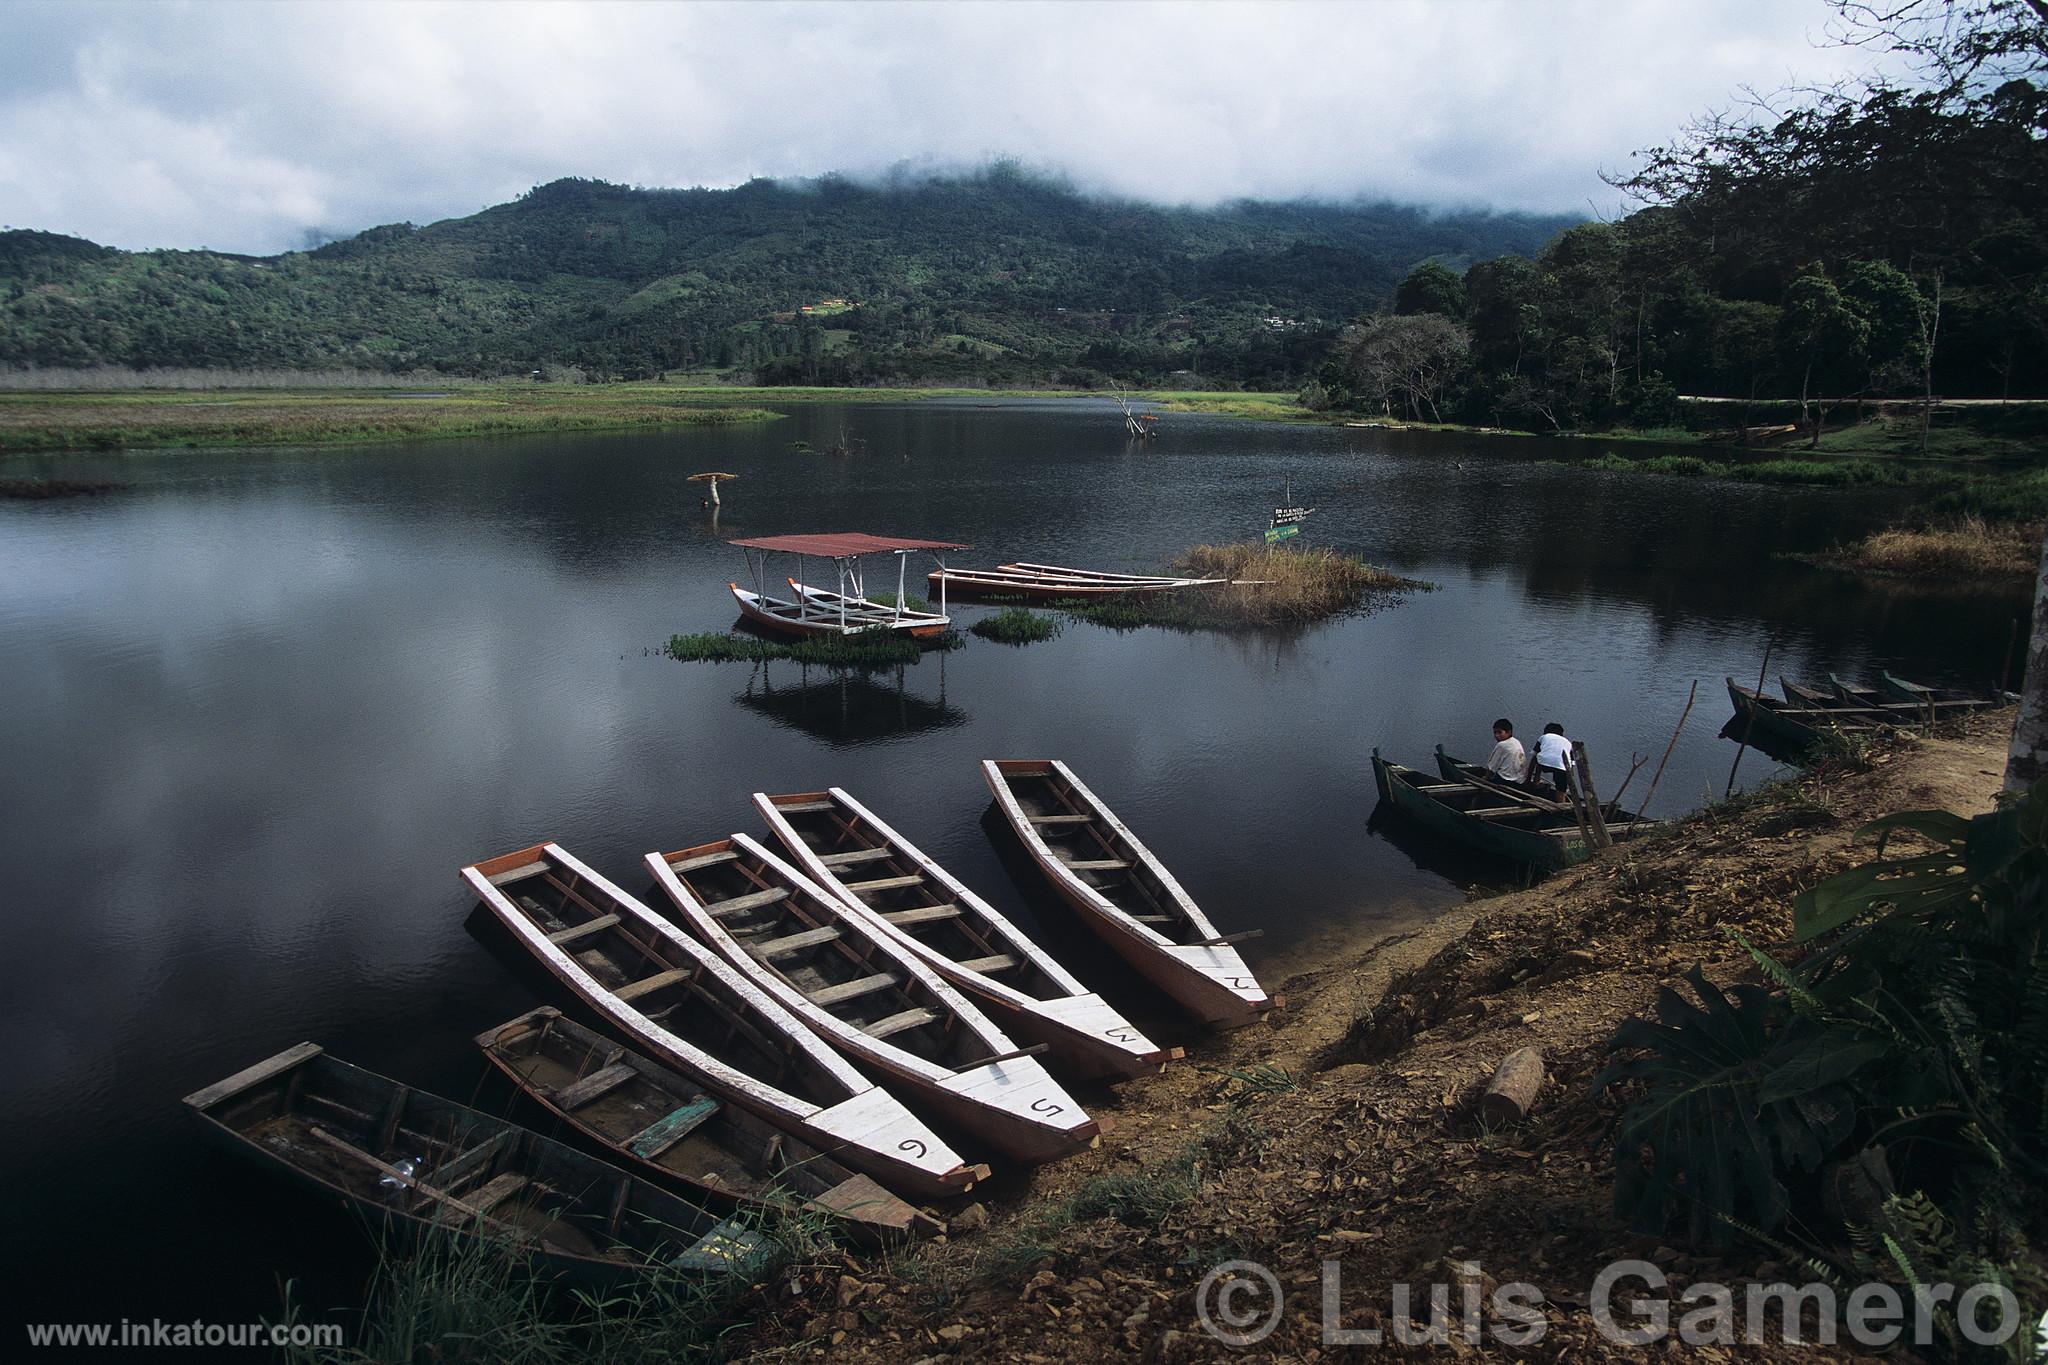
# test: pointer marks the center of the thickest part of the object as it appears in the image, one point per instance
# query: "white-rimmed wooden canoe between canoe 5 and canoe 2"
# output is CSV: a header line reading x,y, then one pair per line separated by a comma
x,y
851,852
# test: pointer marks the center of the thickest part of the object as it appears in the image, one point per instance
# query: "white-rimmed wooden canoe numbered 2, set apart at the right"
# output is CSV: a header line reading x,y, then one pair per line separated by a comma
x,y
1127,895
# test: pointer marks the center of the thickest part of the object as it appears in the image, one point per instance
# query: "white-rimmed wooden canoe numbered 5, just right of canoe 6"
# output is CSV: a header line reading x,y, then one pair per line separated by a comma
x,y
869,996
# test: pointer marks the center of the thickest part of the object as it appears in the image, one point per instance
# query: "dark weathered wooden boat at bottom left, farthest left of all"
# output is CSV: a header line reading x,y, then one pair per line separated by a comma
x,y
415,1159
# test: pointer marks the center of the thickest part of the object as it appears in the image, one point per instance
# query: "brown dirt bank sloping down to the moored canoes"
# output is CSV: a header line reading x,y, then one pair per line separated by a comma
x,y
1351,1129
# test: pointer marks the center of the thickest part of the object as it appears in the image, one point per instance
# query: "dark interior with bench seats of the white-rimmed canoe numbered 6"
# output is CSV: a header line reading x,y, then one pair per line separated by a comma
x,y
681,996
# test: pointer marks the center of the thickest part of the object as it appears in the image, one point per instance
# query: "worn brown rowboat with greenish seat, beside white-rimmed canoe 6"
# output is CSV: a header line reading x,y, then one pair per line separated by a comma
x,y
656,1120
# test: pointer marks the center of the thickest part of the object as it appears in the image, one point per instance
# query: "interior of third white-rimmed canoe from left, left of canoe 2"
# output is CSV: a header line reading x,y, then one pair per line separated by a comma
x,y
908,897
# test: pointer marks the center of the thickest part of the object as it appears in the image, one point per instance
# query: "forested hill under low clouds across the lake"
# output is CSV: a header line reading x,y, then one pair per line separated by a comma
x,y
994,275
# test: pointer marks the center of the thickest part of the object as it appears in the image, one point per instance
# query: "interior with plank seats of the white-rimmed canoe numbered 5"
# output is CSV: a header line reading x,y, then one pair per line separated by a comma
x,y
798,934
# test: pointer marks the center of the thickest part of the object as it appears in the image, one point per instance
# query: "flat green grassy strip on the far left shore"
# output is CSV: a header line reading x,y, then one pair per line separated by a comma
x,y
36,421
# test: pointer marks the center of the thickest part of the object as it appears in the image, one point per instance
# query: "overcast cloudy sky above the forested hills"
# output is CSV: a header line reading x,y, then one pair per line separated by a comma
x,y
251,126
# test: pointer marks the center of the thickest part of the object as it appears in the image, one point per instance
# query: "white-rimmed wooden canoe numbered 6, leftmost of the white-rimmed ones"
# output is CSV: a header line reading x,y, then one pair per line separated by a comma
x,y
685,1006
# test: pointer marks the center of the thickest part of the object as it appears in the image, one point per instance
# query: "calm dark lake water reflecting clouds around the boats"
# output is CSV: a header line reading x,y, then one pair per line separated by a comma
x,y
261,707
